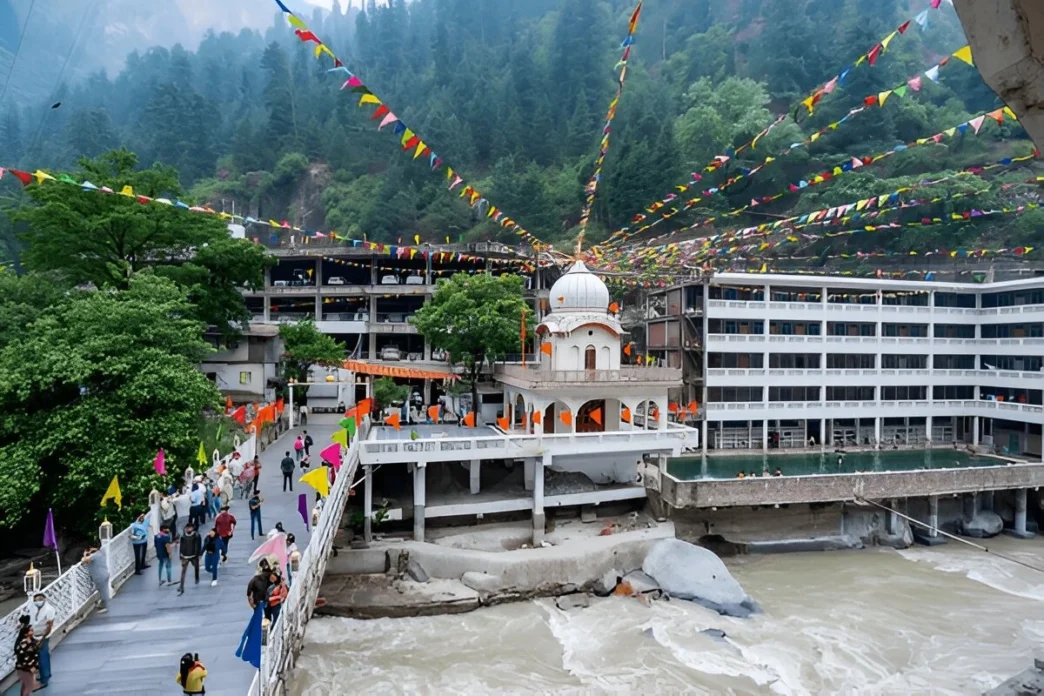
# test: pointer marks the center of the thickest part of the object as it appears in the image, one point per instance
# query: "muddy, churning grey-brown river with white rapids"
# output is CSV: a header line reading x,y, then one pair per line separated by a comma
x,y
948,620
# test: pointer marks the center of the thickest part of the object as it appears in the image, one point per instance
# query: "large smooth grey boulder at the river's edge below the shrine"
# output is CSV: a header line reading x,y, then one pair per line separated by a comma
x,y
691,572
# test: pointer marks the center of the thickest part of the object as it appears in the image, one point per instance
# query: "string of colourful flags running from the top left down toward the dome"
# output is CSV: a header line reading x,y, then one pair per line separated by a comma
x,y
410,140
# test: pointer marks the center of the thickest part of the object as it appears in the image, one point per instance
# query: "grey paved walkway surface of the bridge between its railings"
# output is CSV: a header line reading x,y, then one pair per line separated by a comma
x,y
136,647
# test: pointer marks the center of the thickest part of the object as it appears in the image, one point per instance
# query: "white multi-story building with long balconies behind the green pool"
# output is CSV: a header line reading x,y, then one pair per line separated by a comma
x,y
786,362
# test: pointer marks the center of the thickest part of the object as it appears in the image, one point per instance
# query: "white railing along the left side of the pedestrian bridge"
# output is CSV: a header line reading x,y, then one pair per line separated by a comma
x,y
75,595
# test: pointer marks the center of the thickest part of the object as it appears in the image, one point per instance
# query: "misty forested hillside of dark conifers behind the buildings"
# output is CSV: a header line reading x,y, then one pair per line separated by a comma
x,y
513,95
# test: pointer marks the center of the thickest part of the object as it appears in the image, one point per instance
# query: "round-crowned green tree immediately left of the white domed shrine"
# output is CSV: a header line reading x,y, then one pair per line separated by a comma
x,y
474,319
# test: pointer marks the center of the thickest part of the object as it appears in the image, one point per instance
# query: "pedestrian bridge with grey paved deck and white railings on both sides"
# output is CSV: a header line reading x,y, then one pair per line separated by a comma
x,y
135,649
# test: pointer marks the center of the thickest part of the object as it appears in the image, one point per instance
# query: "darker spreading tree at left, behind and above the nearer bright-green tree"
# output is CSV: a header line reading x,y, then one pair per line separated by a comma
x,y
105,241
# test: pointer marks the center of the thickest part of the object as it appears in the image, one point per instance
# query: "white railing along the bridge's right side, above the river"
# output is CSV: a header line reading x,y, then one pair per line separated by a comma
x,y
288,635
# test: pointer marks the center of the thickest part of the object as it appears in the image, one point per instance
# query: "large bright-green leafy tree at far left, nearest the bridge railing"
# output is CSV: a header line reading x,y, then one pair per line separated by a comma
x,y
91,390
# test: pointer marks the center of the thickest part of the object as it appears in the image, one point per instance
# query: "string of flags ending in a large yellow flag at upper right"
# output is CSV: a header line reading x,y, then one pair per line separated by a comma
x,y
668,211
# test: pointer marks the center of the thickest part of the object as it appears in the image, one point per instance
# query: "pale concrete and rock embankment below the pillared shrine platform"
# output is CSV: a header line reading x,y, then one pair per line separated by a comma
x,y
412,579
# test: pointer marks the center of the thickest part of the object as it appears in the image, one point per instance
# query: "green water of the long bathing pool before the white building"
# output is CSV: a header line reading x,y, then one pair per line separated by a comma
x,y
728,467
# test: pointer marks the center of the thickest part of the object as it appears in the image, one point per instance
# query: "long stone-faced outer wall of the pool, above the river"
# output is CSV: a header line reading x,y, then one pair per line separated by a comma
x,y
847,487
